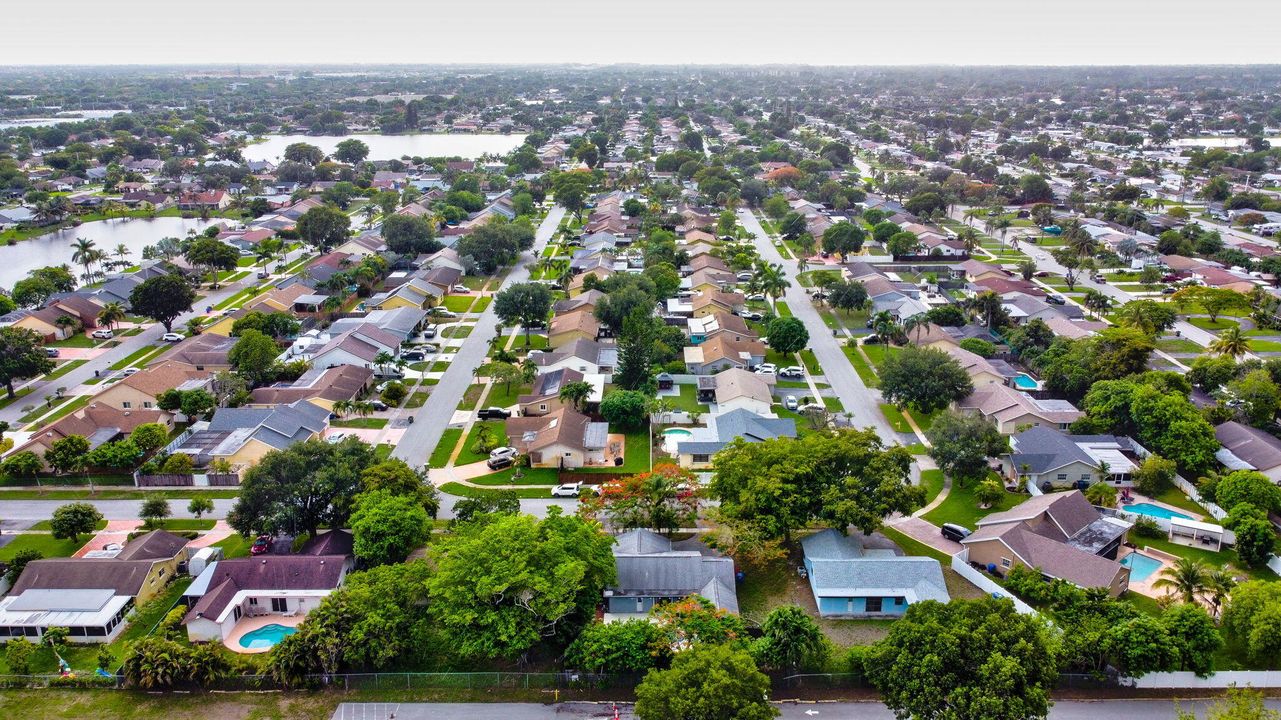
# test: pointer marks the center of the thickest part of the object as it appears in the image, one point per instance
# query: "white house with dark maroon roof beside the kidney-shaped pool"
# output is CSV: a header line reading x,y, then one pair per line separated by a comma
x,y
286,586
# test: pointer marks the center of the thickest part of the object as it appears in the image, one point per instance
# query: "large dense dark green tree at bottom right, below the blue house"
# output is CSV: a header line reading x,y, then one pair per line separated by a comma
x,y
967,659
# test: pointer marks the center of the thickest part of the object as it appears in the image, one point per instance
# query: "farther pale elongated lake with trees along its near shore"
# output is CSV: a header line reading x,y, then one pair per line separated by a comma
x,y
394,147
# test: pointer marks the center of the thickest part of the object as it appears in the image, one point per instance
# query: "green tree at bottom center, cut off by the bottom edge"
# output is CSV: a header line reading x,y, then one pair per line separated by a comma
x,y
706,681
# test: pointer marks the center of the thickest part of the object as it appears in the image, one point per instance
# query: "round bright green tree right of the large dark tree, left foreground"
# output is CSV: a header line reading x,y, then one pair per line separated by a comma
x,y
389,527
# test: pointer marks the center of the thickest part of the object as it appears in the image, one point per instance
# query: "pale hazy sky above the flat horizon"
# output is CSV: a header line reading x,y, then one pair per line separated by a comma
x,y
854,33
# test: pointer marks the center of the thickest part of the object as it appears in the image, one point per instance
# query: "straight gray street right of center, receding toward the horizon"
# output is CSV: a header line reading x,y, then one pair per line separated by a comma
x,y
855,397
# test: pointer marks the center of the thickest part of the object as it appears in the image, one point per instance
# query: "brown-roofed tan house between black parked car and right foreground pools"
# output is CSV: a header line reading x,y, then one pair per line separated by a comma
x,y
1061,535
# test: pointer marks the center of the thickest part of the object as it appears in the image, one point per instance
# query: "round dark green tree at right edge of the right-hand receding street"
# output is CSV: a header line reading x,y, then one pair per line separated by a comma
x,y
924,379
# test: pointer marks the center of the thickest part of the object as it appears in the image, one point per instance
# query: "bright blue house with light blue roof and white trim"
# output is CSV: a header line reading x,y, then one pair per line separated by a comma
x,y
850,581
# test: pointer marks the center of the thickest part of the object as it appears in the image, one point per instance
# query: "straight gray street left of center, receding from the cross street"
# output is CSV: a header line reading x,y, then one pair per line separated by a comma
x,y
431,422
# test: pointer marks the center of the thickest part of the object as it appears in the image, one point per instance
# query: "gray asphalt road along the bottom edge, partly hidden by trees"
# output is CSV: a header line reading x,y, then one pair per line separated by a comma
x,y
1065,710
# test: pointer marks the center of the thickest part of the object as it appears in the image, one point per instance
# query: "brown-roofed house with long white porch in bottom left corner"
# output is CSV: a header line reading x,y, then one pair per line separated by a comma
x,y
93,598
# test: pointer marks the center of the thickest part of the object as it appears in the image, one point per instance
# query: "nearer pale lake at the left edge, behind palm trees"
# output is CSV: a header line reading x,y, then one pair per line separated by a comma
x,y
56,248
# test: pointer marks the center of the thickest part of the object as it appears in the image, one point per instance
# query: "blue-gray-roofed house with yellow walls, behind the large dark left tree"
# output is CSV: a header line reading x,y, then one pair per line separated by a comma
x,y
243,436
